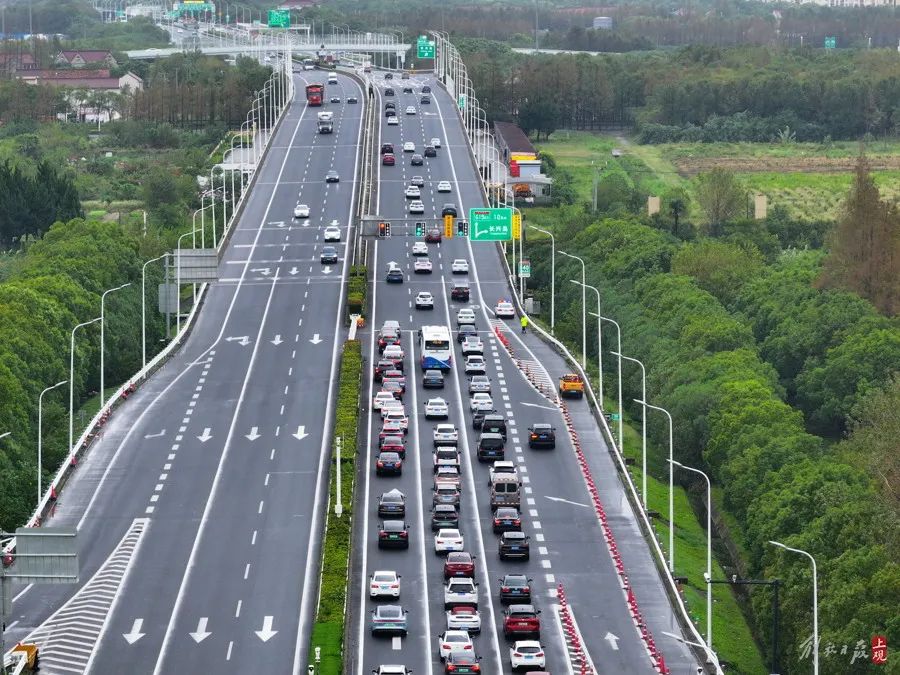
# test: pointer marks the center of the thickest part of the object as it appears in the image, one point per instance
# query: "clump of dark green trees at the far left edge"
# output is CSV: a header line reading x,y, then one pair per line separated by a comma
x,y
29,203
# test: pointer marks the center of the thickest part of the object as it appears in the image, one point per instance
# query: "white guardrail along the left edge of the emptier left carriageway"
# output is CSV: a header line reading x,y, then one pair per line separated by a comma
x,y
84,441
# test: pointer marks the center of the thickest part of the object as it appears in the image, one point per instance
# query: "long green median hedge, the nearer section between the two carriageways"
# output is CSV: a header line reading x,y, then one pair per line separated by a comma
x,y
328,630
